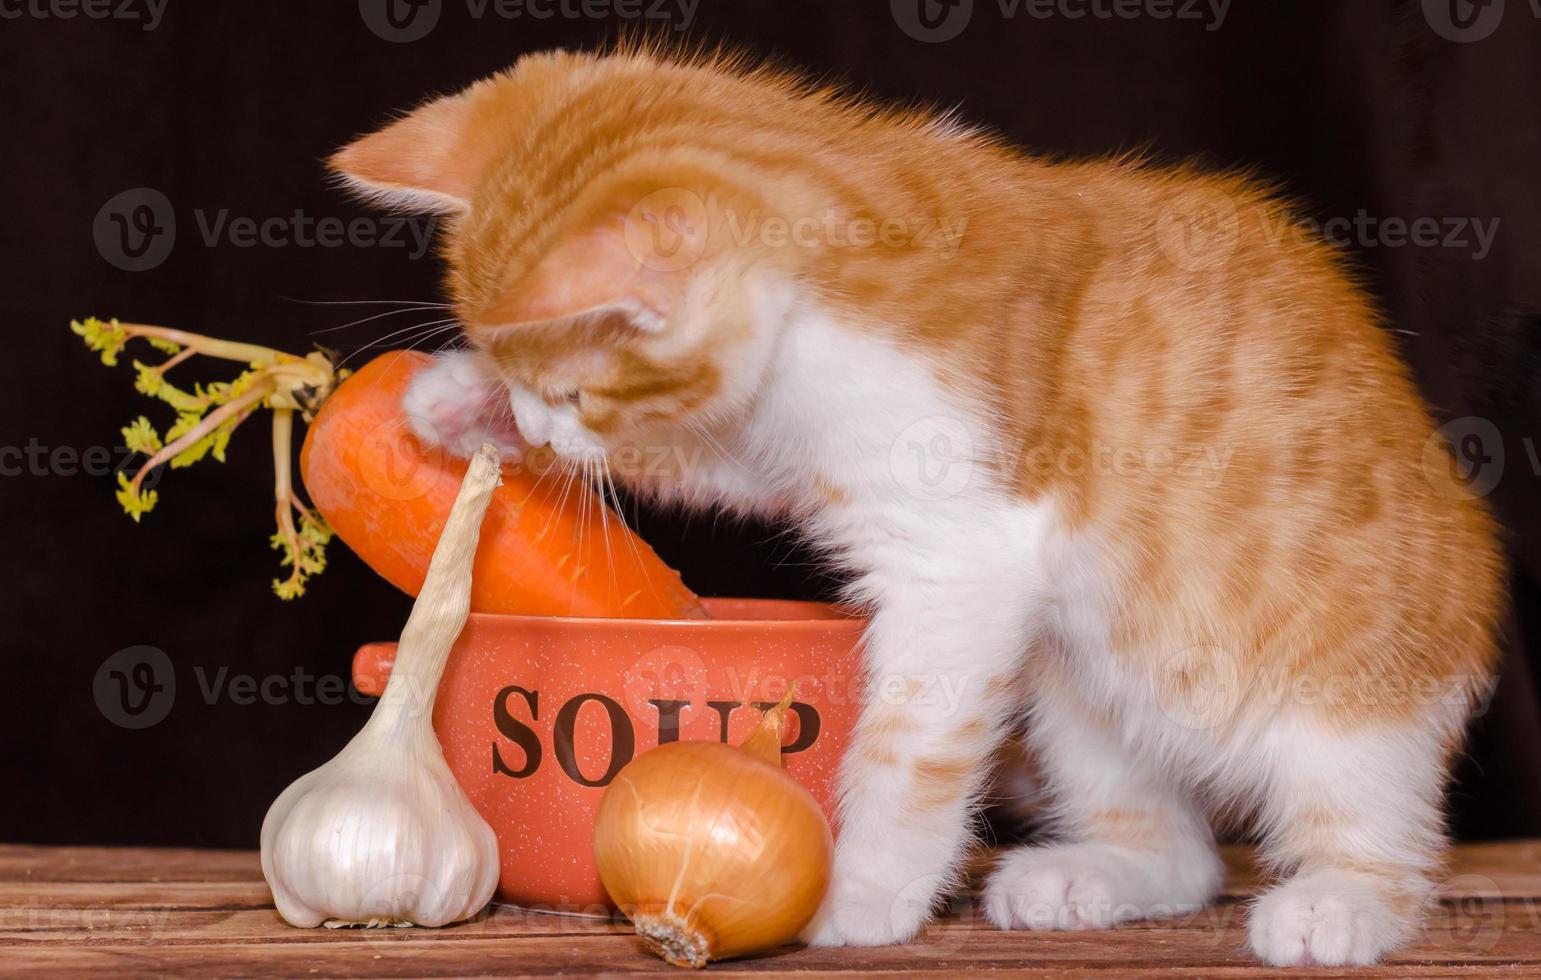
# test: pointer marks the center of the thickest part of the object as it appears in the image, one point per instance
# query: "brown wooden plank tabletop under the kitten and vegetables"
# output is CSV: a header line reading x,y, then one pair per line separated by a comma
x,y
104,911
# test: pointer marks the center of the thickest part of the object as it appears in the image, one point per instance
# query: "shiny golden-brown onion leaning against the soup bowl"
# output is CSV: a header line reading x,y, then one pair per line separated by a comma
x,y
714,851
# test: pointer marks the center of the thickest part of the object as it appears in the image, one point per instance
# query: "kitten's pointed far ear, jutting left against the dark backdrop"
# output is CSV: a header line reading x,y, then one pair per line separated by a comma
x,y
428,161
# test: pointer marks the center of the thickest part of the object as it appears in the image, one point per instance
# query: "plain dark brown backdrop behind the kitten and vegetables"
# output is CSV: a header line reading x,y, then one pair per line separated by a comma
x,y
1352,104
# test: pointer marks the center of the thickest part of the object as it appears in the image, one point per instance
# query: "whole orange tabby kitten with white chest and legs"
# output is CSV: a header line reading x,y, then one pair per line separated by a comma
x,y
1112,446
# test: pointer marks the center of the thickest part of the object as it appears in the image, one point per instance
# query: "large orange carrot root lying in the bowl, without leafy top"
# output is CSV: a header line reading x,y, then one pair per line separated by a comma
x,y
546,549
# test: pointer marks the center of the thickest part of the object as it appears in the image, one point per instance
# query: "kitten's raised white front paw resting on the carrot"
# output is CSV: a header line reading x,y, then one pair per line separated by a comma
x,y
458,403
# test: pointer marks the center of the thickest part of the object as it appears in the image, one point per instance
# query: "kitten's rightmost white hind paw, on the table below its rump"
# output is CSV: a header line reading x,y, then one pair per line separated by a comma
x,y
1329,919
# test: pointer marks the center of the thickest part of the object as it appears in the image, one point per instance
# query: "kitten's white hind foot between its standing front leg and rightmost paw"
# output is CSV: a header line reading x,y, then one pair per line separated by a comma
x,y
1093,887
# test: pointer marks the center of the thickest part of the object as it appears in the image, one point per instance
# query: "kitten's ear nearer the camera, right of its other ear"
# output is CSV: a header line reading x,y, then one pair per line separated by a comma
x,y
628,261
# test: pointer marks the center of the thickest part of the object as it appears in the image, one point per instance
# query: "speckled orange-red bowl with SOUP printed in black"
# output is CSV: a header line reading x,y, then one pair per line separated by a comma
x,y
537,716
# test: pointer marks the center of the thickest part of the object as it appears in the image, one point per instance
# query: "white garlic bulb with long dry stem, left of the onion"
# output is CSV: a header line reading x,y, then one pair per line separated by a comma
x,y
383,834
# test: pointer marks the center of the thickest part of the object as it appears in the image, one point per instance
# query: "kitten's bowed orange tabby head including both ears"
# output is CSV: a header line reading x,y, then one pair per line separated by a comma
x,y
589,241
